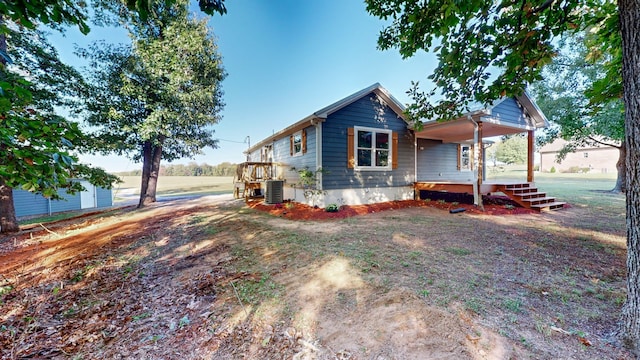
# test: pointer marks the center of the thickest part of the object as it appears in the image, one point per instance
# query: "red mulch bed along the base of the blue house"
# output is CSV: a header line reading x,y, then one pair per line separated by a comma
x,y
298,211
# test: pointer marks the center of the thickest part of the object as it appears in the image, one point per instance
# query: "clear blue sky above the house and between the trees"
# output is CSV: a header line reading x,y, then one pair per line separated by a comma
x,y
285,59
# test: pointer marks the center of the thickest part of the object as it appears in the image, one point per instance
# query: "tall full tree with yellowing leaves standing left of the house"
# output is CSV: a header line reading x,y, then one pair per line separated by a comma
x,y
158,97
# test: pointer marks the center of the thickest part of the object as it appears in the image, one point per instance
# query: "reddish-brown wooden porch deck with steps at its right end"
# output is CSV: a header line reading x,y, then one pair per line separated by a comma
x,y
524,194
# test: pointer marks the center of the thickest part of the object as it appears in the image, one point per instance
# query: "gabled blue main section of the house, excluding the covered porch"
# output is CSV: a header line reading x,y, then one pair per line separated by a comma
x,y
360,148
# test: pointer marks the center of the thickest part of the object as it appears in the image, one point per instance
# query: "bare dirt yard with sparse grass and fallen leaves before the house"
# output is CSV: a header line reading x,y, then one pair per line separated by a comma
x,y
216,279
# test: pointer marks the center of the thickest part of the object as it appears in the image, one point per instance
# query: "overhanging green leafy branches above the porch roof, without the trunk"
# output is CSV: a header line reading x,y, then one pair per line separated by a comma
x,y
474,41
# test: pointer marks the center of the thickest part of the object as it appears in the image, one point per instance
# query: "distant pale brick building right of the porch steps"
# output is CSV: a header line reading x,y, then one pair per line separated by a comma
x,y
593,159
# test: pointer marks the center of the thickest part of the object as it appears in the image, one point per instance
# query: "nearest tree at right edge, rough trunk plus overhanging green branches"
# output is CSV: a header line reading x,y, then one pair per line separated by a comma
x,y
490,49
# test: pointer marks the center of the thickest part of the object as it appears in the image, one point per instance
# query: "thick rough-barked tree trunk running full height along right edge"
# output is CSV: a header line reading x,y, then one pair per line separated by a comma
x,y
630,28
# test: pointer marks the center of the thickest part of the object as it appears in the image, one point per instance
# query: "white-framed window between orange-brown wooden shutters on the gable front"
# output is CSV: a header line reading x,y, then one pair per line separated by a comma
x,y
373,148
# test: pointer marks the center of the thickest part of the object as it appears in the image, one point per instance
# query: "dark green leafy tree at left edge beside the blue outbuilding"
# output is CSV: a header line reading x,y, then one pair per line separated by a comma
x,y
37,146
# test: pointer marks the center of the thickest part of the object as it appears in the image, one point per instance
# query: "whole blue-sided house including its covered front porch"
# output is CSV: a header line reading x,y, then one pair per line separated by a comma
x,y
363,150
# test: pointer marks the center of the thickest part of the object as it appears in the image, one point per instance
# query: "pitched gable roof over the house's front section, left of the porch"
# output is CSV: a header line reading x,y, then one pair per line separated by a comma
x,y
322,114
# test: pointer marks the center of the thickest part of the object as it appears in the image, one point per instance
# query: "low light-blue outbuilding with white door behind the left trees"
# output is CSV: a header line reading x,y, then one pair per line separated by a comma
x,y
30,204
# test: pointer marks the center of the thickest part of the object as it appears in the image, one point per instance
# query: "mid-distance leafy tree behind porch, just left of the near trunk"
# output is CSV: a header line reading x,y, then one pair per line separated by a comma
x,y
565,96
